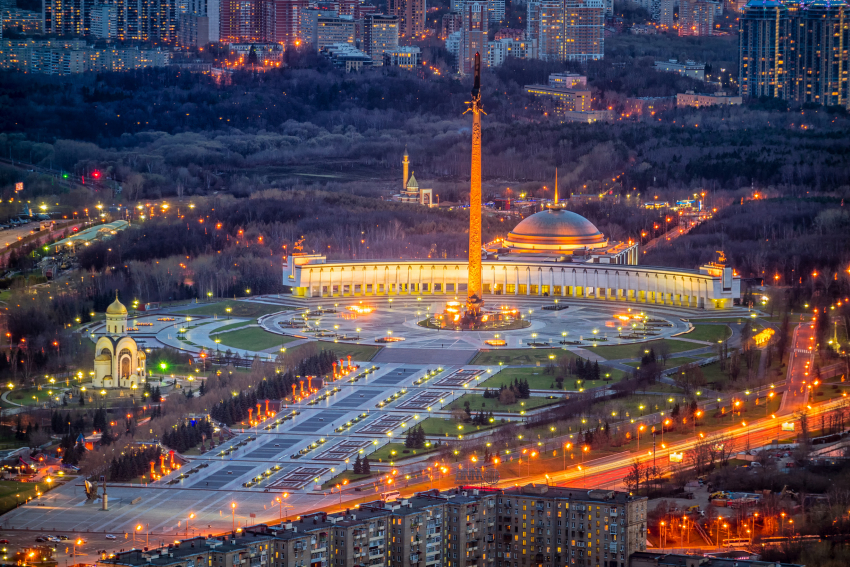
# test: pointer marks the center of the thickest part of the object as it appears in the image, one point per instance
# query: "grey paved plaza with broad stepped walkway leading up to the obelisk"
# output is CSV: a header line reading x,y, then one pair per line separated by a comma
x,y
432,368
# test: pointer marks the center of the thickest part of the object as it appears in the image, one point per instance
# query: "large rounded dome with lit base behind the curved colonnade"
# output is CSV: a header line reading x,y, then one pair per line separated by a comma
x,y
555,230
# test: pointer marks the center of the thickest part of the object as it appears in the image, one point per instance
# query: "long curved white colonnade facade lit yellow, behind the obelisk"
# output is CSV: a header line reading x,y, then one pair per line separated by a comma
x,y
706,288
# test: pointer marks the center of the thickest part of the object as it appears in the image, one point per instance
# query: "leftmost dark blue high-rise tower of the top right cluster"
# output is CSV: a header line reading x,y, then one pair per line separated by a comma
x,y
762,49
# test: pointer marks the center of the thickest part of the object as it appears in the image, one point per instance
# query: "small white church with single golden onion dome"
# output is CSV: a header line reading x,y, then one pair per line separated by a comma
x,y
119,362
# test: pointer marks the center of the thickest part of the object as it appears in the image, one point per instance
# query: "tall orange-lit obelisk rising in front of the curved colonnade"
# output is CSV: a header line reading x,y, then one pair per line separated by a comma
x,y
475,291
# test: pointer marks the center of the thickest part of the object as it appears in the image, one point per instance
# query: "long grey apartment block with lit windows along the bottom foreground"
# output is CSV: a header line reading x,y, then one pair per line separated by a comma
x,y
533,525
